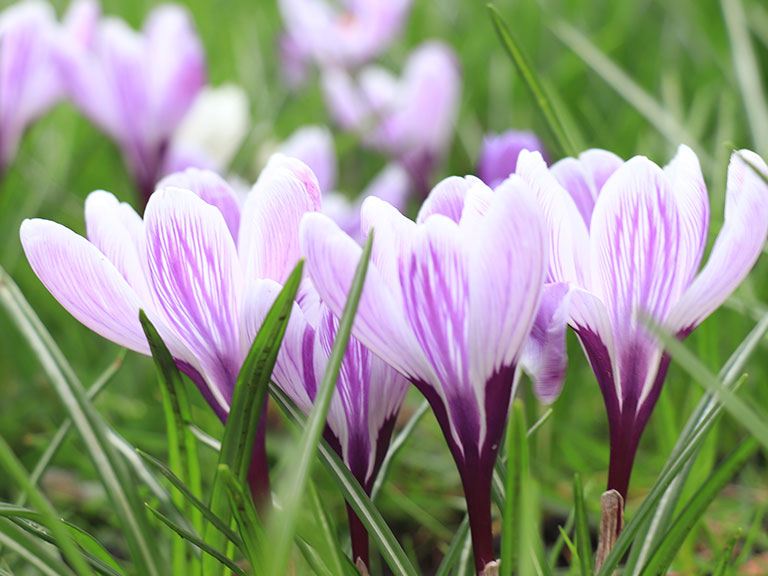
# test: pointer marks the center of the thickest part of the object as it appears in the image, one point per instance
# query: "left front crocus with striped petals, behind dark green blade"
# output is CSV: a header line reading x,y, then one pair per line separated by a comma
x,y
187,264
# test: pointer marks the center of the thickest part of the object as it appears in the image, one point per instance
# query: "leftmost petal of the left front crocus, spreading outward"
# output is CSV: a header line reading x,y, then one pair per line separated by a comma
x,y
85,282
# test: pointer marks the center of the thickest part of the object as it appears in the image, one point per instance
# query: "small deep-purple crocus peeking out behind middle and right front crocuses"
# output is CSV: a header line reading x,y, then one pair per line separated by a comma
x,y
498,156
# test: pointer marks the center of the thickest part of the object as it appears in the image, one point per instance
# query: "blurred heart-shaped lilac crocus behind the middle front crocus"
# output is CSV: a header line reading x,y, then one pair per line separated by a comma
x,y
409,118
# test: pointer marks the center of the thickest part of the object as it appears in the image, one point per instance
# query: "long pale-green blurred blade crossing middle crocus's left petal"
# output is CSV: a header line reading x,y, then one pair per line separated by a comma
x,y
282,527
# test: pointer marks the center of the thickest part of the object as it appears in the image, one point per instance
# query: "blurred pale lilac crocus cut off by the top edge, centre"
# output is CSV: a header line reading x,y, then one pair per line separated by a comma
x,y
347,35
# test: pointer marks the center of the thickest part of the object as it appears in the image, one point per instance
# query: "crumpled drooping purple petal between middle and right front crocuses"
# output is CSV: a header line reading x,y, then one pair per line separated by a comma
x,y
545,356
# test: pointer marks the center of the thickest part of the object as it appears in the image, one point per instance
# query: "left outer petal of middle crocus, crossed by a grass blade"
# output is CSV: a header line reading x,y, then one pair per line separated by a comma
x,y
332,258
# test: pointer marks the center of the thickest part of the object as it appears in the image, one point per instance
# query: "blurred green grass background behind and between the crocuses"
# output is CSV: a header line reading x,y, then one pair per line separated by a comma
x,y
635,77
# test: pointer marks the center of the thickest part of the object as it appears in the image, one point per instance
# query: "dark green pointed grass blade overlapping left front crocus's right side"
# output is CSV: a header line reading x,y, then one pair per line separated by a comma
x,y
248,401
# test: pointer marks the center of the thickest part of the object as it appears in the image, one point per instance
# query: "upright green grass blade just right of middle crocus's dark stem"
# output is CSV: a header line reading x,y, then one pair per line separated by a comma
x,y
516,444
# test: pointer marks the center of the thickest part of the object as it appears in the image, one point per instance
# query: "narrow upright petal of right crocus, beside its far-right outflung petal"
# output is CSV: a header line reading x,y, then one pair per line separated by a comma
x,y
690,191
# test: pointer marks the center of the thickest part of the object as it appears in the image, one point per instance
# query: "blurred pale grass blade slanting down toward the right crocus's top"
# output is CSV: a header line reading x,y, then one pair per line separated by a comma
x,y
657,115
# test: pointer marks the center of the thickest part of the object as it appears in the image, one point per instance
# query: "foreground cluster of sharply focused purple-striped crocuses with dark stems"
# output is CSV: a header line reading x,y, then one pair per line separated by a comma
x,y
481,285
